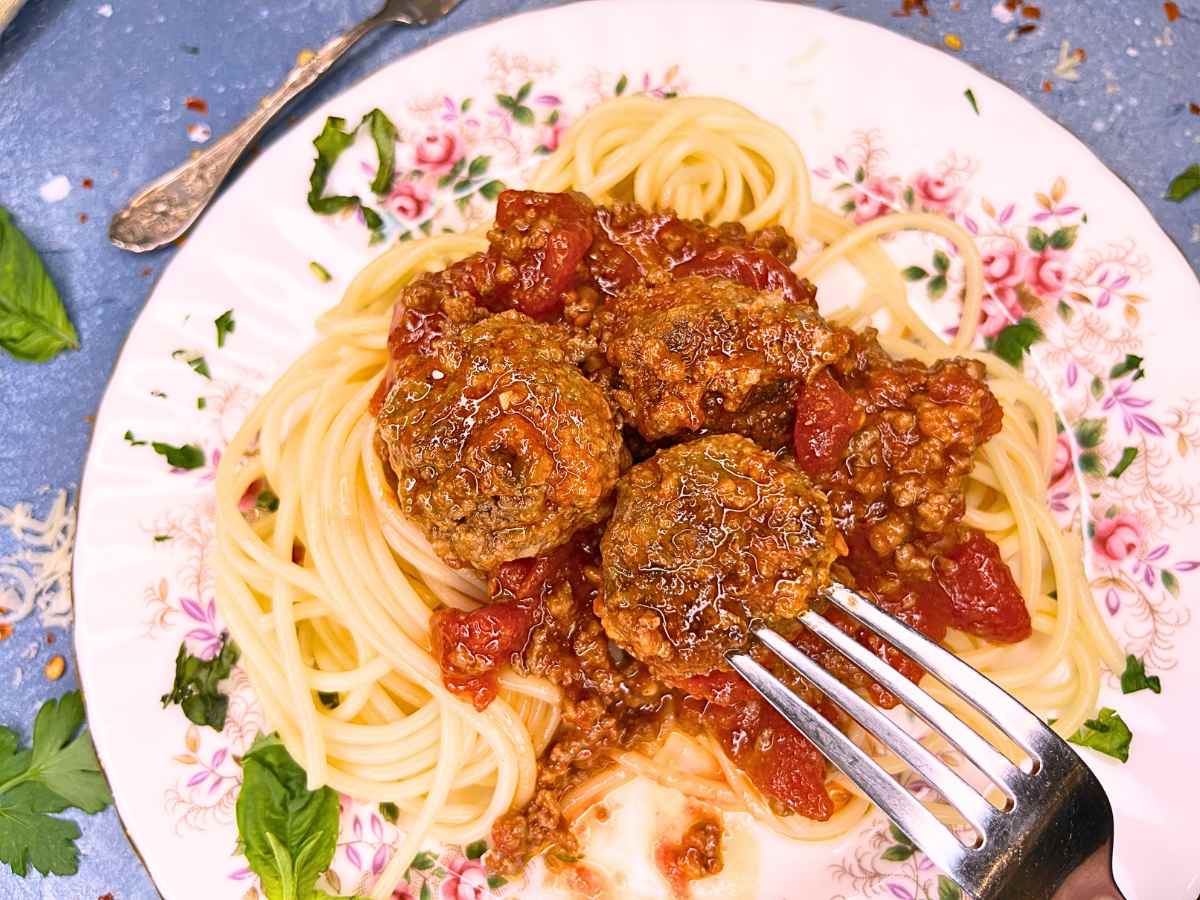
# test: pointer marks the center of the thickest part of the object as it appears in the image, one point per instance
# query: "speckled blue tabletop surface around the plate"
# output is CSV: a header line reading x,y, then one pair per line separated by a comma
x,y
101,98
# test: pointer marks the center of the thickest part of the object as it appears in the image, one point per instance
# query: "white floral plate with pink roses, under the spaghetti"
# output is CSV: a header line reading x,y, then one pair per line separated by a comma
x,y
1077,269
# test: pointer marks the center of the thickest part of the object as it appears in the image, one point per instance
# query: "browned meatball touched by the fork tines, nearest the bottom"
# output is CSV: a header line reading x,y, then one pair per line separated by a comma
x,y
706,538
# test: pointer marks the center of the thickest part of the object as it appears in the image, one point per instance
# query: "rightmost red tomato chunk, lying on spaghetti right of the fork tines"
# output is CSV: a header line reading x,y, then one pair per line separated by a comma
x,y
983,595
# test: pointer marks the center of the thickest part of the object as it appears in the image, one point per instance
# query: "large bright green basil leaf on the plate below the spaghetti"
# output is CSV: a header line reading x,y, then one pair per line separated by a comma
x,y
289,832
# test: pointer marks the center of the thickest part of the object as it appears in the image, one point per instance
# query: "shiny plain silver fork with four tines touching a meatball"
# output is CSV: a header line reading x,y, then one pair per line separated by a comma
x,y
1053,841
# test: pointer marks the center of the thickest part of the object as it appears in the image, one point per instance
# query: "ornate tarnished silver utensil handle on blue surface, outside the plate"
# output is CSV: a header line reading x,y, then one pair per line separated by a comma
x,y
167,208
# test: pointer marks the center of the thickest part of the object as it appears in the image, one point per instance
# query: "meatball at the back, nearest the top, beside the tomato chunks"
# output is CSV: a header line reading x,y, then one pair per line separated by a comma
x,y
710,355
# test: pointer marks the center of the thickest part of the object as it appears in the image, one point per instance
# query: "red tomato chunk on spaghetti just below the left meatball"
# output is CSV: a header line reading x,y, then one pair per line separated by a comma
x,y
472,647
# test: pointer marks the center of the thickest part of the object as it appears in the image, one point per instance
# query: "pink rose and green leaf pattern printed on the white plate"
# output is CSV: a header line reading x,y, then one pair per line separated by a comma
x,y
1075,311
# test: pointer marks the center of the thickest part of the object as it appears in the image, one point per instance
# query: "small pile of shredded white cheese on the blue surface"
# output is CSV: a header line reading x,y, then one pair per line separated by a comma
x,y
38,575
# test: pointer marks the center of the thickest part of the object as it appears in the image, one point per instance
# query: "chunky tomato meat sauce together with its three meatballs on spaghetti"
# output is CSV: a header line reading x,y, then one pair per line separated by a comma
x,y
507,434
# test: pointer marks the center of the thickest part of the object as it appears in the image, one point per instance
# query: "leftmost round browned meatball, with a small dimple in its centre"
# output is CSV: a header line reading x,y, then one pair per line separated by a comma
x,y
502,449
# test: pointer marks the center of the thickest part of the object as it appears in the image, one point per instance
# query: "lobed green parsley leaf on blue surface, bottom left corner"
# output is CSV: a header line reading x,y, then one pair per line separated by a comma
x,y
59,772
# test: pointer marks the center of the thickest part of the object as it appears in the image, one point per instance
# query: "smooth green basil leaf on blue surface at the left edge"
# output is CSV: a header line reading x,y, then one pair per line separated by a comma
x,y
34,325
